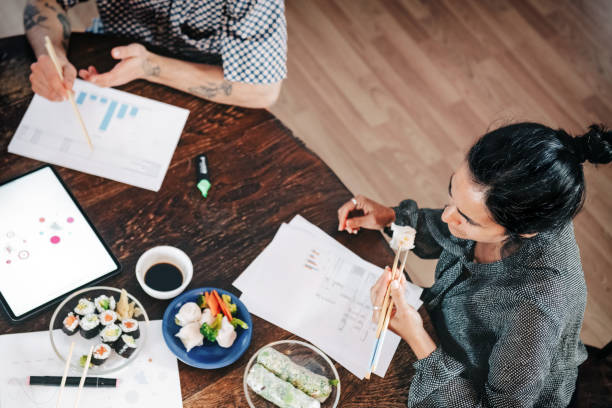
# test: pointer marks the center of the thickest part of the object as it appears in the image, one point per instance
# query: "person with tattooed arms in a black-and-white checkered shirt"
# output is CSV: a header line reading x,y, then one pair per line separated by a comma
x,y
231,52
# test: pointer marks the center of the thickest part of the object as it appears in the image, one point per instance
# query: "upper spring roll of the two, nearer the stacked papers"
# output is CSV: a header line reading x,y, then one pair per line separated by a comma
x,y
315,385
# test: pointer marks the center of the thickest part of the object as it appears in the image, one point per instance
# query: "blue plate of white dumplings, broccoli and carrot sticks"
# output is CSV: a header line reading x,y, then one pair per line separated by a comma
x,y
207,328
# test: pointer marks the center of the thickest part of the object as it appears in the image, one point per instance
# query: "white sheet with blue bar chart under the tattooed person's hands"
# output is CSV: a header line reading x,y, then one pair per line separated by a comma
x,y
133,137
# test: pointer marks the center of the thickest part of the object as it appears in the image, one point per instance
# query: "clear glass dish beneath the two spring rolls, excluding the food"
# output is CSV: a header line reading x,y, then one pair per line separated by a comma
x,y
305,355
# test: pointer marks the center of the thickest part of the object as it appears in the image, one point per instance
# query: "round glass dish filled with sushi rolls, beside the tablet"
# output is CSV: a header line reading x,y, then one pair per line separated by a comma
x,y
109,319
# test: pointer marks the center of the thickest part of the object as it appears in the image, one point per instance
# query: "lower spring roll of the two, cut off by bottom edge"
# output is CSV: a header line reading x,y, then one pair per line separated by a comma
x,y
277,391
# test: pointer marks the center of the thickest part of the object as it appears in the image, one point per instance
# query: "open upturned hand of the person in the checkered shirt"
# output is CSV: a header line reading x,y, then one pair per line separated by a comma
x,y
136,63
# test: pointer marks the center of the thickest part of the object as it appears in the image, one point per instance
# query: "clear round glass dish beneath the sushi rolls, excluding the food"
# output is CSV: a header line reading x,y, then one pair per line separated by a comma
x,y
60,341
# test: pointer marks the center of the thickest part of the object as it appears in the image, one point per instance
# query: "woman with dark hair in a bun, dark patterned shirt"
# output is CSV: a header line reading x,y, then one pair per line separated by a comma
x,y
509,293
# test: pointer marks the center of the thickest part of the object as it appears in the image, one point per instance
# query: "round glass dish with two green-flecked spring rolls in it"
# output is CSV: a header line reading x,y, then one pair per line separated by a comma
x,y
291,374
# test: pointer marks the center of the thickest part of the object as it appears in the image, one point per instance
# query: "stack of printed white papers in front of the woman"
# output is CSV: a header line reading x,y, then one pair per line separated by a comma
x,y
307,283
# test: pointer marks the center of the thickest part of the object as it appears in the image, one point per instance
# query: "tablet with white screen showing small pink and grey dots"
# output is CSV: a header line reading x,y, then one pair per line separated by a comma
x,y
48,246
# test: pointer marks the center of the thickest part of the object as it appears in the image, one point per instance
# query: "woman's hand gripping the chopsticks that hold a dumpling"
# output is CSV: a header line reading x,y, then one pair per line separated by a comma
x,y
405,320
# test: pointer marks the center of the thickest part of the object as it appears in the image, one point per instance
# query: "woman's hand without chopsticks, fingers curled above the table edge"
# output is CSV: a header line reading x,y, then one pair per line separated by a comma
x,y
376,216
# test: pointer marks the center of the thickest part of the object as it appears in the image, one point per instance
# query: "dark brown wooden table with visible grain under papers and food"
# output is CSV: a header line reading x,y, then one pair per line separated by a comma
x,y
262,176
